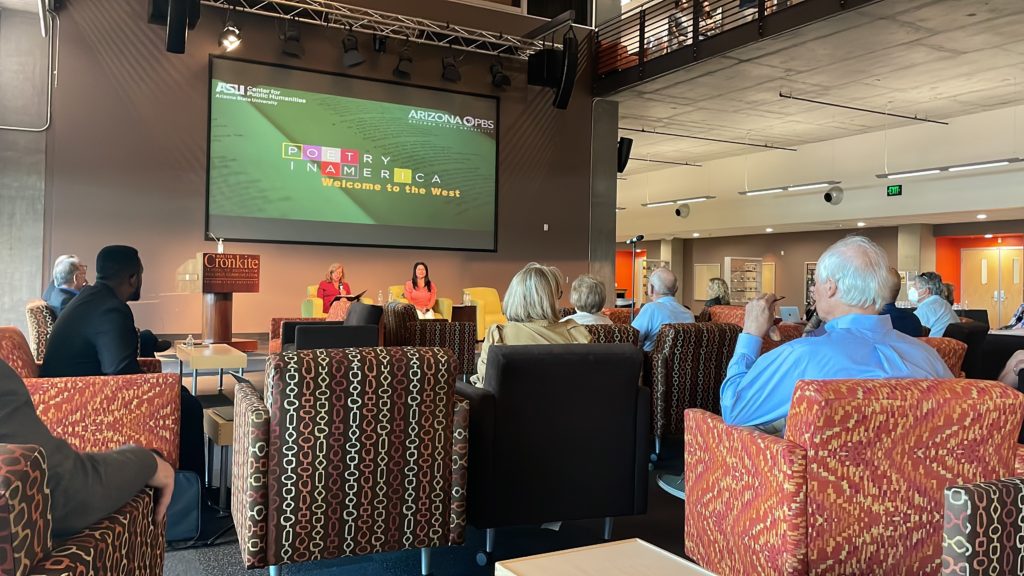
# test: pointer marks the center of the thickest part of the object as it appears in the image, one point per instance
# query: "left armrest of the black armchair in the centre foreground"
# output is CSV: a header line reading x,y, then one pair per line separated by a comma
x,y
482,429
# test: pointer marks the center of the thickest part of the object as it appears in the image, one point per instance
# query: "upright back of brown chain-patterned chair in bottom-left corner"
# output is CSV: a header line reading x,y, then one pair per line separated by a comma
x,y
25,508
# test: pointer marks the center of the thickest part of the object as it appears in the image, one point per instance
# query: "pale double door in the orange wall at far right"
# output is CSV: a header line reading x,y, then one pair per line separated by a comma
x,y
991,279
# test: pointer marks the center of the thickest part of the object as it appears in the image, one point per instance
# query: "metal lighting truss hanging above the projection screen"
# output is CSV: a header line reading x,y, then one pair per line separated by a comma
x,y
336,15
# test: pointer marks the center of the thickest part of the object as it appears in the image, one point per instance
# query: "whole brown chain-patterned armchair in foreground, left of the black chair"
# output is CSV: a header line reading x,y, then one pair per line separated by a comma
x,y
381,425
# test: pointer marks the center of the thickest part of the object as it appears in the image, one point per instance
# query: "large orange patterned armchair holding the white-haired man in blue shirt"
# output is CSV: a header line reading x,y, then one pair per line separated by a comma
x,y
856,486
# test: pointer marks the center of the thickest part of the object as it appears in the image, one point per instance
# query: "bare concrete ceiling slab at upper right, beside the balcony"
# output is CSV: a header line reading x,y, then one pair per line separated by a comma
x,y
934,59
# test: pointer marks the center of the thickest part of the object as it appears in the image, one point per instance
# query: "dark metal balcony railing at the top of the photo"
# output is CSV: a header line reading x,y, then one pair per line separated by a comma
x,y
665,35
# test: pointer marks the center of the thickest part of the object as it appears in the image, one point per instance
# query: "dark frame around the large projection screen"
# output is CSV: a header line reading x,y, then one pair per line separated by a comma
x,y
209,120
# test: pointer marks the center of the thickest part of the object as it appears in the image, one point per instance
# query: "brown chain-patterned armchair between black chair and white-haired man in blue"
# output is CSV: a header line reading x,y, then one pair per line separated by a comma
x,y
688,368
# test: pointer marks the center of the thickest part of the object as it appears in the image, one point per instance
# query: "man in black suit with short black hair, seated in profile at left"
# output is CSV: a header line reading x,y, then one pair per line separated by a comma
x,y
96,336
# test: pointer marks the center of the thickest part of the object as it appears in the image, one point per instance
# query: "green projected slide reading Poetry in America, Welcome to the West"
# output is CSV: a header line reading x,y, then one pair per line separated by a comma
x,y
296,156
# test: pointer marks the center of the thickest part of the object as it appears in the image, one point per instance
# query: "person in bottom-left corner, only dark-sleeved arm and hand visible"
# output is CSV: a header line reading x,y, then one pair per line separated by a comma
x,y
83,487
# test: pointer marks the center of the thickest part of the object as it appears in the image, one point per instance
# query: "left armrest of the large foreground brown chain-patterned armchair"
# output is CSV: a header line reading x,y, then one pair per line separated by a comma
x,y
250,467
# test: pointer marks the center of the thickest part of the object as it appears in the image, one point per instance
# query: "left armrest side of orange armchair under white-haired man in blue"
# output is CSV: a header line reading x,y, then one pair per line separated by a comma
x,y
746,499
